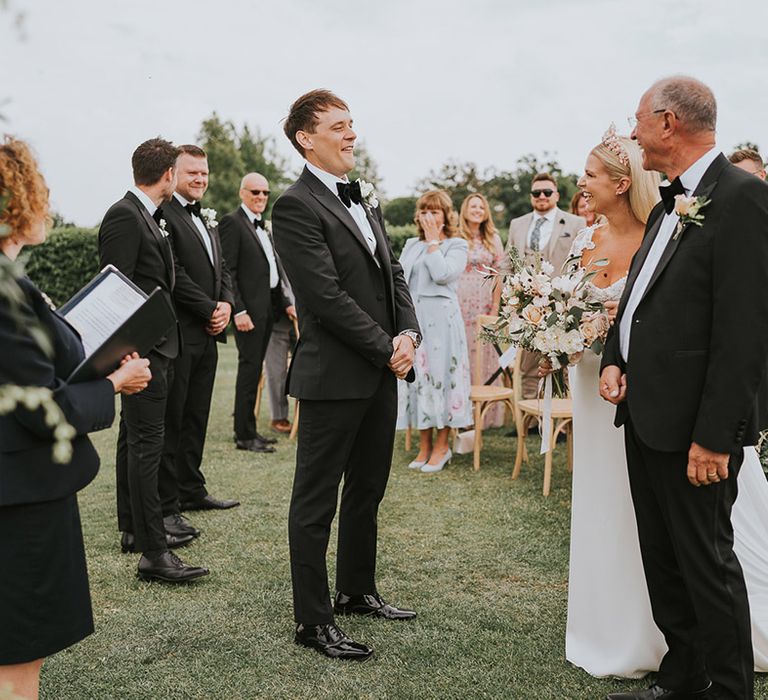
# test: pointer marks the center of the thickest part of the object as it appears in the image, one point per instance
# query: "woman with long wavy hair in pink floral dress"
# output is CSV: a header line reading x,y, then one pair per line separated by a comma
x,y
477,294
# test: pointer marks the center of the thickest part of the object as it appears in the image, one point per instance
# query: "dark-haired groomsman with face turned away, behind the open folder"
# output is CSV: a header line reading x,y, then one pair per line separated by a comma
x,y
137,244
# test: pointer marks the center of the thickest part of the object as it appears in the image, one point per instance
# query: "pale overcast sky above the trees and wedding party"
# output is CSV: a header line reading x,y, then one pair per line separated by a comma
x,y
483,81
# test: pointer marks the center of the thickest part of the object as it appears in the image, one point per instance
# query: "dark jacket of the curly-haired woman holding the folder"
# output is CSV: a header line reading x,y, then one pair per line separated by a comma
x,y
28,473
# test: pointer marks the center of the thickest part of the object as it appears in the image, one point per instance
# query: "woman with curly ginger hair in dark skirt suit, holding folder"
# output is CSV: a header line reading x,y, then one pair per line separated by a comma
x,y
45,604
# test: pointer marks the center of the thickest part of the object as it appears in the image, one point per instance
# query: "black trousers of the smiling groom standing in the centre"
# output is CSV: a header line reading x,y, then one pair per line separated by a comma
x,y
353,439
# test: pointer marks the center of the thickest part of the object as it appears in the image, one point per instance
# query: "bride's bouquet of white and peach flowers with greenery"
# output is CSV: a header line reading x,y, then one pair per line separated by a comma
x,y
549,314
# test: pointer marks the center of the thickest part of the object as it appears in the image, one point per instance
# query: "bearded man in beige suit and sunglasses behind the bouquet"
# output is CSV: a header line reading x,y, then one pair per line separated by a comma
x,y
549,231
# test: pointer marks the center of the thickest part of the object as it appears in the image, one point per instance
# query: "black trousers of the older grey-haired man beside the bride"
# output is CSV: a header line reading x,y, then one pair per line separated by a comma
x,y
695,581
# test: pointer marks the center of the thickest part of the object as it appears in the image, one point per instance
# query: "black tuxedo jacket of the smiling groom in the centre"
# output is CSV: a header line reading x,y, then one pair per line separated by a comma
x,y
349,307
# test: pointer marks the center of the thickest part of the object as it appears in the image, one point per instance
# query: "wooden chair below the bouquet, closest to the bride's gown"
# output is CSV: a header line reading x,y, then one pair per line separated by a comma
x,y
532,410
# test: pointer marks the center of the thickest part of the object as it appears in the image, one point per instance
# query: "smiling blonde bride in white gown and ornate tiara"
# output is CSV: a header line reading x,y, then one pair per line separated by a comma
x,y
610,630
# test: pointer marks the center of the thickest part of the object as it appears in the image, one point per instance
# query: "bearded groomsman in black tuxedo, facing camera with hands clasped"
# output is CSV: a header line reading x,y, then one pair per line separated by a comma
x,y
195,241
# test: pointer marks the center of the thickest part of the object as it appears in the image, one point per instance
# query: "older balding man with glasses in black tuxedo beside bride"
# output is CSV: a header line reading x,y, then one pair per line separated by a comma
x,y
686,364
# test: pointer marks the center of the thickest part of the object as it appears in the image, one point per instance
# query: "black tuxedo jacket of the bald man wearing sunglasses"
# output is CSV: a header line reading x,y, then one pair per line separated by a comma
x,y
248,267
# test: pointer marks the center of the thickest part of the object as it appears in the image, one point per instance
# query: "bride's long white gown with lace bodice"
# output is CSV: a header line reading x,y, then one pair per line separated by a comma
x,y
610,631
